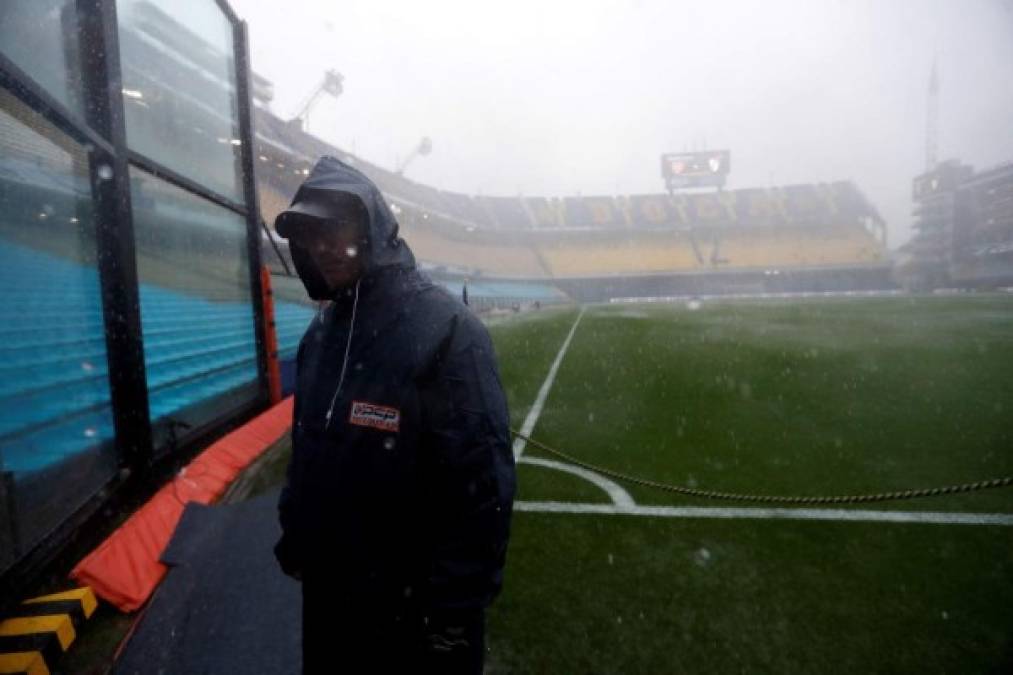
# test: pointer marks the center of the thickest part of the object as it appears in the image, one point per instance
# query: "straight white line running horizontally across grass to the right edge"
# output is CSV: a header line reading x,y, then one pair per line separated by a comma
x,y
733,513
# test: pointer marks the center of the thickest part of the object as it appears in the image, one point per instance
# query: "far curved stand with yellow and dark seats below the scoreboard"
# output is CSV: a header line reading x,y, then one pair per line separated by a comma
x,y
536,238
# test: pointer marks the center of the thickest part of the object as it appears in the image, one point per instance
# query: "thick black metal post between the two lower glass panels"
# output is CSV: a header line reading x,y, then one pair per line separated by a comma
x,y
115,232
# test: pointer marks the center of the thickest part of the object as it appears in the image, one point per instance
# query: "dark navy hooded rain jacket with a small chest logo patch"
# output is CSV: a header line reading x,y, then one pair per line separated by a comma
x,y
402,482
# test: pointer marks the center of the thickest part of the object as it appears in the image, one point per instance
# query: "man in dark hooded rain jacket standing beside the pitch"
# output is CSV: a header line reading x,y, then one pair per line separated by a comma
x,y
397,509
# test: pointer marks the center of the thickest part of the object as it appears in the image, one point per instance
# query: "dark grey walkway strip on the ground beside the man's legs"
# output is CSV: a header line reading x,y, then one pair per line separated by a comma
x,y
225,607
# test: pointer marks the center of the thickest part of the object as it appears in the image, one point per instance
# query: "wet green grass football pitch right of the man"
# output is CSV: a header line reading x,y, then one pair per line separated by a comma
x,y
791,397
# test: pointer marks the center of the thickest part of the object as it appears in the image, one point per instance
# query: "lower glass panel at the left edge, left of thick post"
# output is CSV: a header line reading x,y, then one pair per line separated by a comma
x,y
56,421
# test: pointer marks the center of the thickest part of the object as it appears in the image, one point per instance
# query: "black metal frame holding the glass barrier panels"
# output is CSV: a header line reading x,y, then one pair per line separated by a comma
x,y
104,133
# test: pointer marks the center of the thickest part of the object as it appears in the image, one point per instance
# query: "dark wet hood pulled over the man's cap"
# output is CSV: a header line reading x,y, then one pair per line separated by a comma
x,y
332,183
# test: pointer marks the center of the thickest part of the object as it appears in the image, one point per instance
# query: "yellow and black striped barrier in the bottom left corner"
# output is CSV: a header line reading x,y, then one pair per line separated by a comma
x,y
43,629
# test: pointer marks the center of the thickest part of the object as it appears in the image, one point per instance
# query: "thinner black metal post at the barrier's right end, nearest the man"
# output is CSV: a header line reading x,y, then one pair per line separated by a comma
x,y
244,92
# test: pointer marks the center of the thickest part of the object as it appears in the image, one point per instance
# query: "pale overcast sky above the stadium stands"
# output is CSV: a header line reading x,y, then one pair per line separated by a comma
x,y
542,98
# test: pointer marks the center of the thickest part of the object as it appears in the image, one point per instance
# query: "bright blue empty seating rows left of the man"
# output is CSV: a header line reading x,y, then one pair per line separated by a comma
x,y
54,394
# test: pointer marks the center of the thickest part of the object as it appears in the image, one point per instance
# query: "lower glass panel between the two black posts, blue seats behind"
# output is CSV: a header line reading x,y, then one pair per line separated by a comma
x,y
197,311
